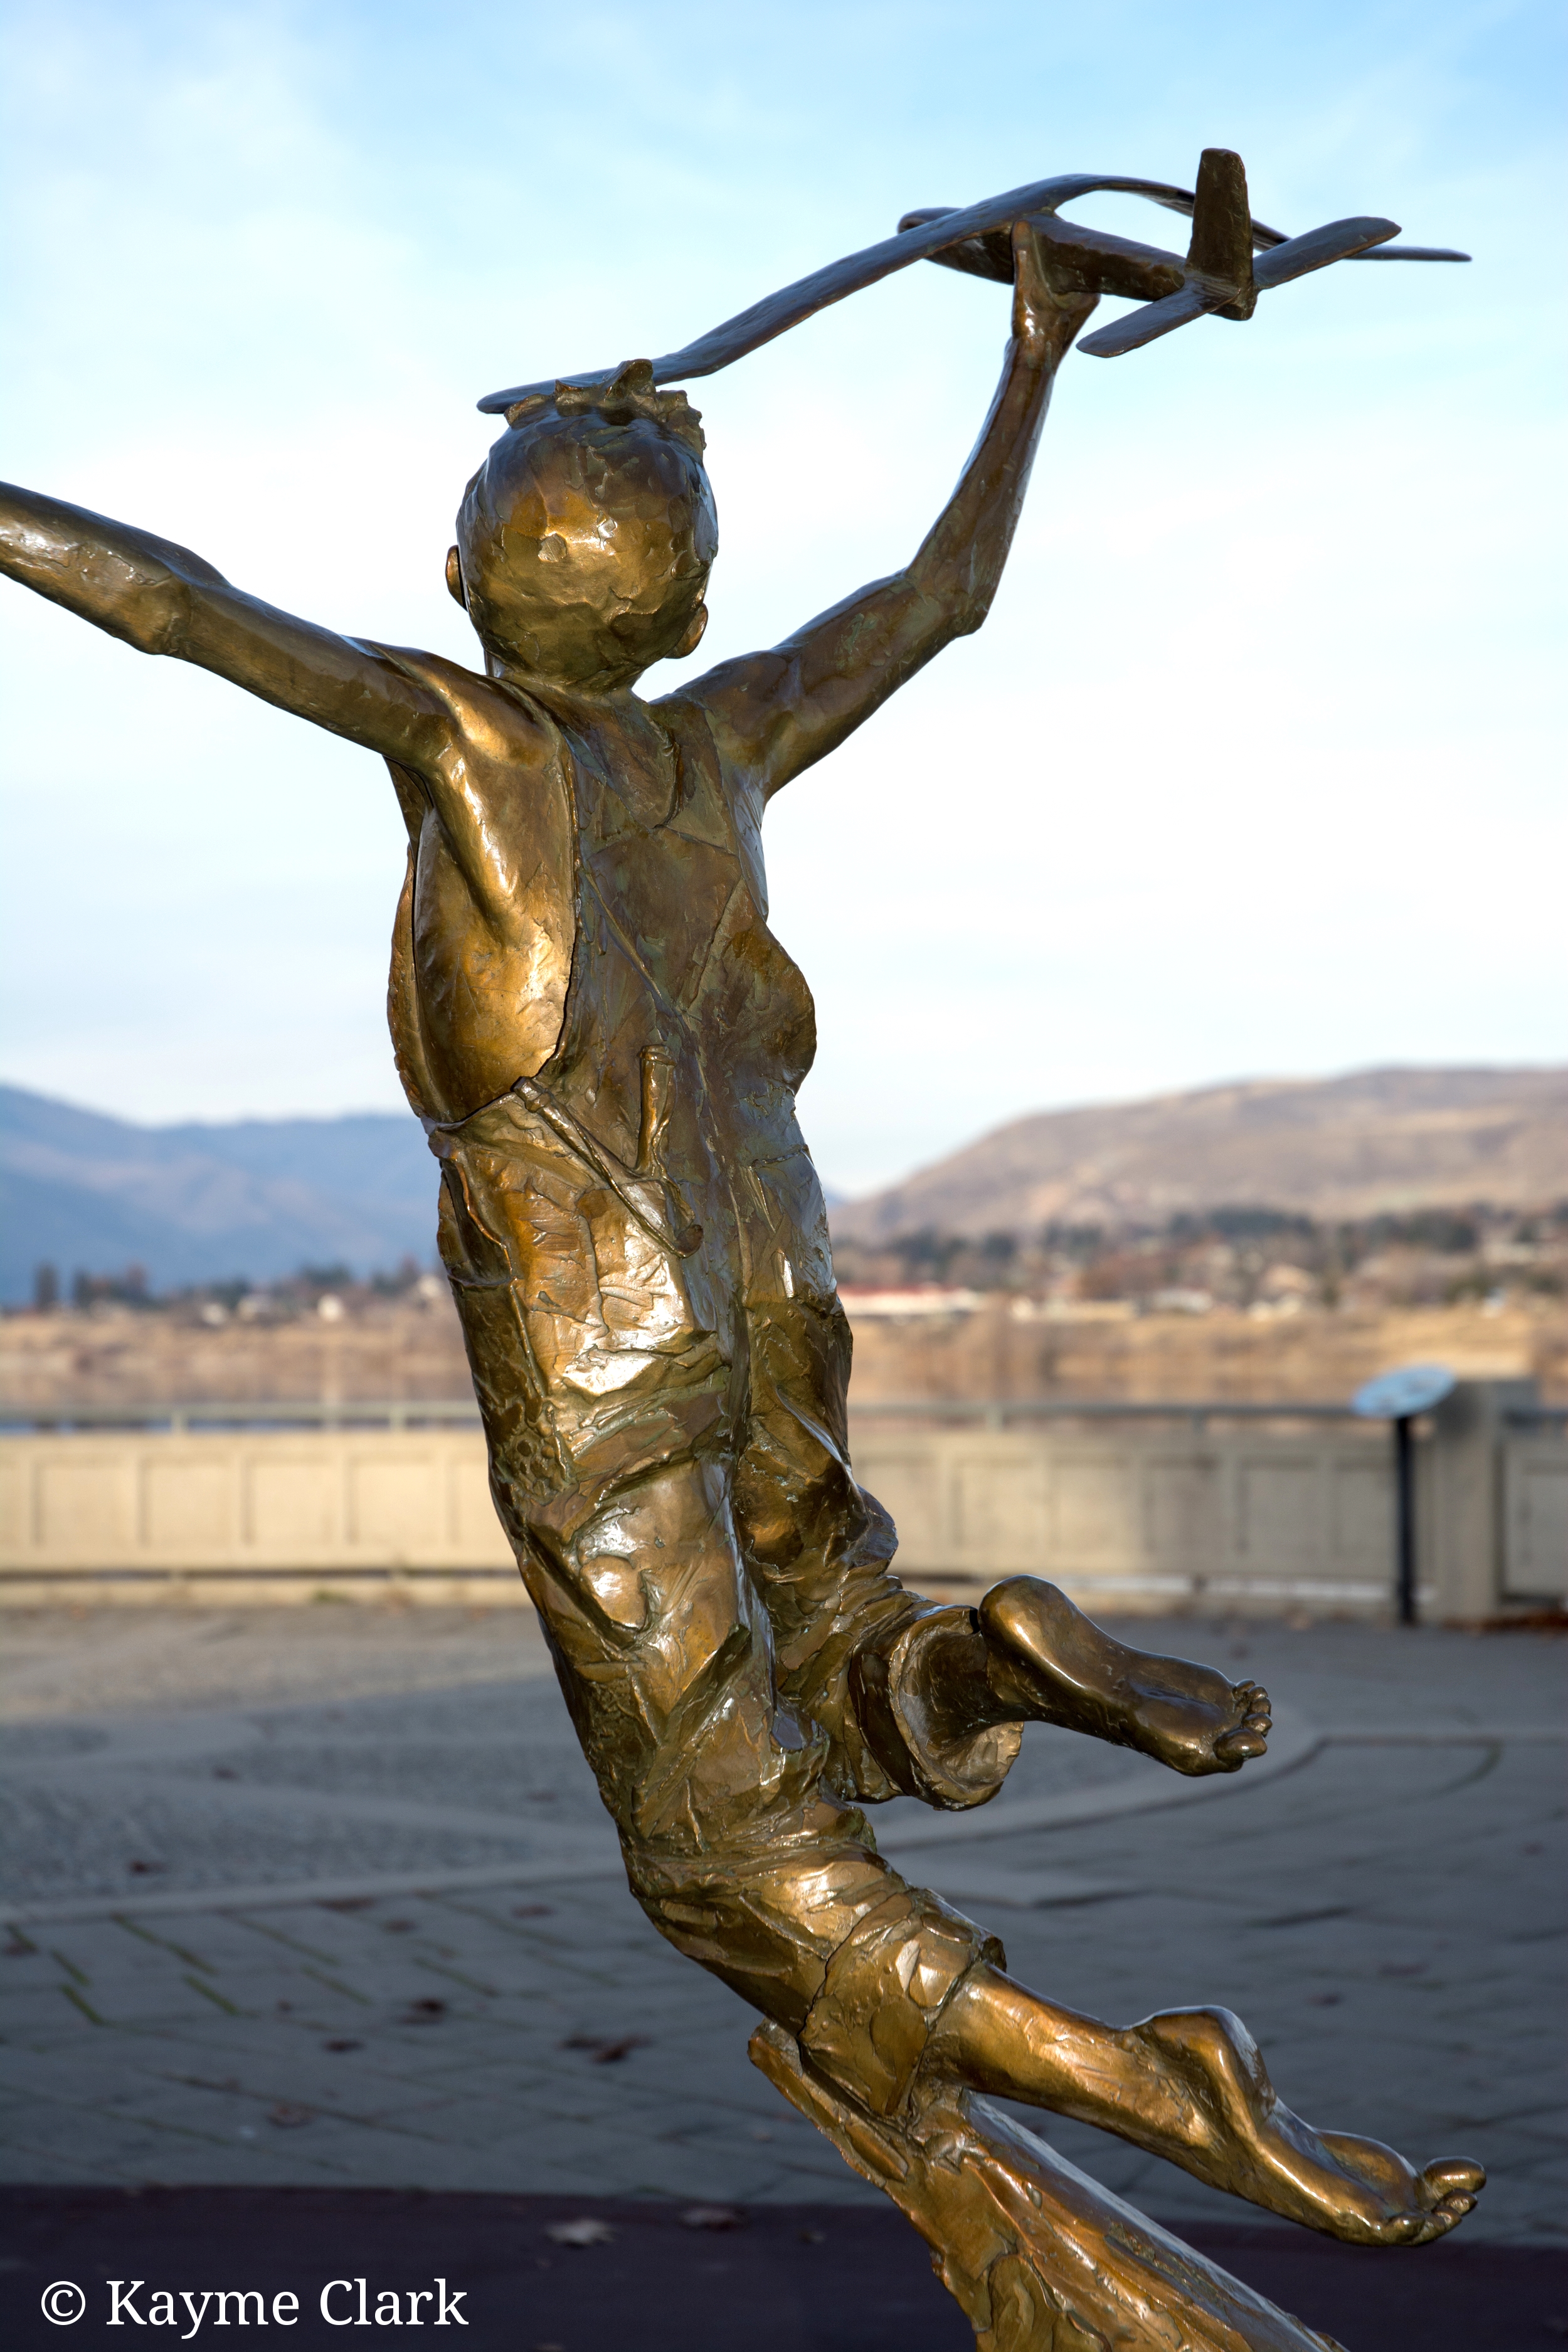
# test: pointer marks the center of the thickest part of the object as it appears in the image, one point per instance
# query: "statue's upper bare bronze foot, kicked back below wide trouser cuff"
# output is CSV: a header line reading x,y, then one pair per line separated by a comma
x,y
1057,1666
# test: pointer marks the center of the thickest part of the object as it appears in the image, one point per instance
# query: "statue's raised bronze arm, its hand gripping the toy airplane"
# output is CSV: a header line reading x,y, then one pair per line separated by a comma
x,y
782,711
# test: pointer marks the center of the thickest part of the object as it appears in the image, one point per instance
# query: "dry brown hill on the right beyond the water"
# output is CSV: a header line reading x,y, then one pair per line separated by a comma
x,y
1343,1147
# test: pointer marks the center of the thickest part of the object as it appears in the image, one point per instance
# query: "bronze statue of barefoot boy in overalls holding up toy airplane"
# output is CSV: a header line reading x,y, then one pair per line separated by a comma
x,y
605,1041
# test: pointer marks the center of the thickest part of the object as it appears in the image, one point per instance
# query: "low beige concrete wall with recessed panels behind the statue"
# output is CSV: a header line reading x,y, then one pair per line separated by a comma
x,y
1123,1514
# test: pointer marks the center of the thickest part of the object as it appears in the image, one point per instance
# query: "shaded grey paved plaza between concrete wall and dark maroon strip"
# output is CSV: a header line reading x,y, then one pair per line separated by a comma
x,y
326,1899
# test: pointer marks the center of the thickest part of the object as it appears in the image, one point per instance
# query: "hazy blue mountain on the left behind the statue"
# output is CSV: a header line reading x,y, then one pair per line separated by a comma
x,y
253,1198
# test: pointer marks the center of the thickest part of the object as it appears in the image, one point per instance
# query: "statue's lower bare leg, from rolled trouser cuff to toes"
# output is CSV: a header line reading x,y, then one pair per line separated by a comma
x,y
1191,2087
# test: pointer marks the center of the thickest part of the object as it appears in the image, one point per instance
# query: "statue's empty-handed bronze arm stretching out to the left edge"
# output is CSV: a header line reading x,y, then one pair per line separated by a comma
x,y
166,601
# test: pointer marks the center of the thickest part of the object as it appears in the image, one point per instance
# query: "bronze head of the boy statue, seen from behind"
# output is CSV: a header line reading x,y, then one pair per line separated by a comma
x,y
589,533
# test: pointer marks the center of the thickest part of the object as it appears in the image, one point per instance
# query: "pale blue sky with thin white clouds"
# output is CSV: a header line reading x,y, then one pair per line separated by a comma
x,y
1259,761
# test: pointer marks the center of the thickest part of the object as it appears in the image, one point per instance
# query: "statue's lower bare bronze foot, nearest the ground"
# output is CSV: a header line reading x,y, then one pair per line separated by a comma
x,y
1242,2139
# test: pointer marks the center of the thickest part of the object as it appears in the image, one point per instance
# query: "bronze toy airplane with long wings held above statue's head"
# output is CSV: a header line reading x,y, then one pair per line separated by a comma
x,y
1217,276
